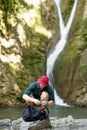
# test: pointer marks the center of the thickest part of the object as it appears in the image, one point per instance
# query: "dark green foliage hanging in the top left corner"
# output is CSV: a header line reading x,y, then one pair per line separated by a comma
x,y
11,7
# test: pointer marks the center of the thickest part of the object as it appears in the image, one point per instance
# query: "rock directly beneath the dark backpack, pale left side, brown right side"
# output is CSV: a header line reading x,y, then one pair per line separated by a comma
x,y
20,124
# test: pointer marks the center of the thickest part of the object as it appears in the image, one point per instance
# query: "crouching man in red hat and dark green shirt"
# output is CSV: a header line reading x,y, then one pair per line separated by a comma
x,y
39,93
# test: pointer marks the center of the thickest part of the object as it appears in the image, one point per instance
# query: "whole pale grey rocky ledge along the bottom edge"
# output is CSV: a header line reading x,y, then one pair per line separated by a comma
x,y
53,123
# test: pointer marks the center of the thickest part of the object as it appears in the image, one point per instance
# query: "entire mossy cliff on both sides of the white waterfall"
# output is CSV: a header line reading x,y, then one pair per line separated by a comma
x,y
29,31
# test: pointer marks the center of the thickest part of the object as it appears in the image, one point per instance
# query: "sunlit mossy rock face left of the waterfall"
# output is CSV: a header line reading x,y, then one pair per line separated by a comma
x,y
26,29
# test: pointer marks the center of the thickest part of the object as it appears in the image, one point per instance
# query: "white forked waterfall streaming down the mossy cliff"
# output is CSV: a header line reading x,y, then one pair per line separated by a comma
x,y
64,30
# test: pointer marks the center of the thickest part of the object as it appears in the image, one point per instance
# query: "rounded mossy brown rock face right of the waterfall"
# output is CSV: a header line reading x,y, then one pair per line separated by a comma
x,y
70,69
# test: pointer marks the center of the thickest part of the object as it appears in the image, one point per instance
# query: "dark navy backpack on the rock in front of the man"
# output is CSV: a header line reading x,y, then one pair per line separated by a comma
x,y
32,114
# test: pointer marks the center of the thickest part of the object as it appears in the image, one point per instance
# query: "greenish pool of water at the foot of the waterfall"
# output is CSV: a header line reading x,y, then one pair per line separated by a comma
x,y
56,111
